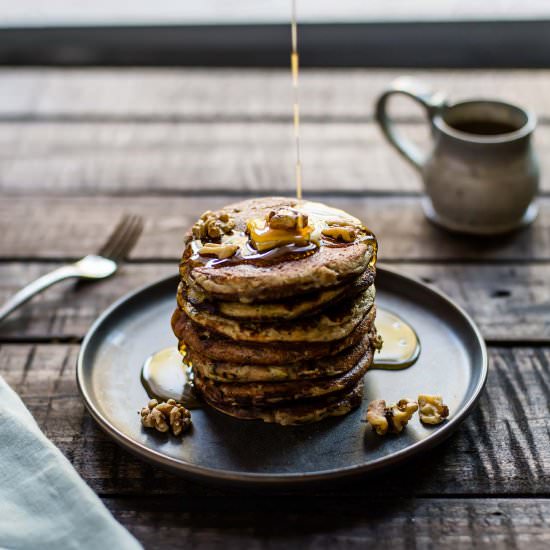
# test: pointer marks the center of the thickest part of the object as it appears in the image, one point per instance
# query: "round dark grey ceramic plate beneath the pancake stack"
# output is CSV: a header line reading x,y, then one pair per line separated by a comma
x,y
453,362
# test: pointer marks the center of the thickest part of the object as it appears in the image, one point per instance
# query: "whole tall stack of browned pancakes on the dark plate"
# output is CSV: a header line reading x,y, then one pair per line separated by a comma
x,y
283,335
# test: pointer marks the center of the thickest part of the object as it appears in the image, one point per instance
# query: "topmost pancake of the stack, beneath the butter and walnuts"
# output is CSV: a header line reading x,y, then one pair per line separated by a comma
x,y
327,267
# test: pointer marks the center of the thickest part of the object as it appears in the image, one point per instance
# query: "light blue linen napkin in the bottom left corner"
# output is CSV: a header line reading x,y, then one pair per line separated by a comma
x,y
43,501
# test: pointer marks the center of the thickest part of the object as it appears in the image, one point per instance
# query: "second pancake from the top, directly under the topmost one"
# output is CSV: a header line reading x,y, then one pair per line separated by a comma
x,y
287,309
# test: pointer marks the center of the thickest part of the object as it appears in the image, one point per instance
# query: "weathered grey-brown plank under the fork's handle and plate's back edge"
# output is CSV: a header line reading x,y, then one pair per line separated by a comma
x,y
508,303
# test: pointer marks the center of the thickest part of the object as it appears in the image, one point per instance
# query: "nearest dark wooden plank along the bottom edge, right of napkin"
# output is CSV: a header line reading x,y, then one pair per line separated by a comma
x,y
326,523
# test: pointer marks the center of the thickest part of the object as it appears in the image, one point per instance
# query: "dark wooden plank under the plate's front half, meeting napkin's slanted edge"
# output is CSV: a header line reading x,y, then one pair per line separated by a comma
x,y
503,448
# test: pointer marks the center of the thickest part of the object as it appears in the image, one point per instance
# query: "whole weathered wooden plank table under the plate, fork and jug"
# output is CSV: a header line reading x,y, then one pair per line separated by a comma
x,y
80,147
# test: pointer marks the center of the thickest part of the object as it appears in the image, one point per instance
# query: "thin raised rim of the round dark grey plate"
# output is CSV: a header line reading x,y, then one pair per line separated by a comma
x,y
270,479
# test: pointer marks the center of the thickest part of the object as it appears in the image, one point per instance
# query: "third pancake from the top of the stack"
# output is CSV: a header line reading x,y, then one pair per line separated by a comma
x,y
333,323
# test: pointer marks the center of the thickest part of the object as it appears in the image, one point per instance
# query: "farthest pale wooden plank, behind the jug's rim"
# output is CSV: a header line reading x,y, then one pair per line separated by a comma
x,y
206,94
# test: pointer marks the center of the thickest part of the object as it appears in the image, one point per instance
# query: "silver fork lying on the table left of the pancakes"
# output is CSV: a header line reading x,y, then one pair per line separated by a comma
x,y
91,267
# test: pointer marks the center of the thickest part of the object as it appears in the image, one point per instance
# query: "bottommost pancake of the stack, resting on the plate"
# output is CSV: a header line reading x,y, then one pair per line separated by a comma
x,y
299,413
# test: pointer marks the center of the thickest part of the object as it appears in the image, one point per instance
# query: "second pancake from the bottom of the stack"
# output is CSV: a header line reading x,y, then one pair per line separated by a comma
x,y
274,393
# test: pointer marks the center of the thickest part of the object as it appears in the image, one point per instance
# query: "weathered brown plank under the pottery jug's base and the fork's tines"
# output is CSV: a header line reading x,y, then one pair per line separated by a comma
x,y
60,227
